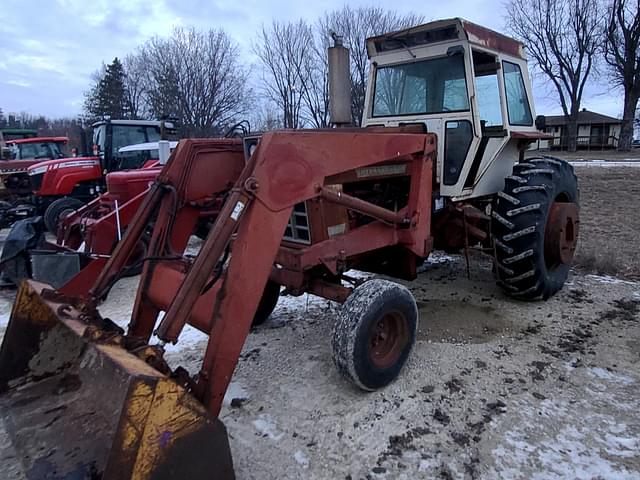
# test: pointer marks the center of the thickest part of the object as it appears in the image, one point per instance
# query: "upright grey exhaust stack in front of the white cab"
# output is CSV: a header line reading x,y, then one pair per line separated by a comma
x,y
339,83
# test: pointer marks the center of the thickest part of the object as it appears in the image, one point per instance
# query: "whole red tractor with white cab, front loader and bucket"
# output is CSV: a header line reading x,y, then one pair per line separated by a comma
x,y
81,398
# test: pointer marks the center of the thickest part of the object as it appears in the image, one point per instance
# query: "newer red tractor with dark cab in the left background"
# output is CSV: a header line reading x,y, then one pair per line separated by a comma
x,y
66,184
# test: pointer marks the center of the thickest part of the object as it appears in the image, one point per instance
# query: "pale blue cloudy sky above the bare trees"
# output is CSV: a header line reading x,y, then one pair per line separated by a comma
x,y
50,48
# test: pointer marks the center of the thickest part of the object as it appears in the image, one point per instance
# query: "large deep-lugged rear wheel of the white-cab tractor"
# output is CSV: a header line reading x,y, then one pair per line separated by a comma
x,y
521,226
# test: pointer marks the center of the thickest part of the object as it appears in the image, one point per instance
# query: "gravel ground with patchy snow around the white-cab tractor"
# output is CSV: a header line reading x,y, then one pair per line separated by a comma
x,y
495,388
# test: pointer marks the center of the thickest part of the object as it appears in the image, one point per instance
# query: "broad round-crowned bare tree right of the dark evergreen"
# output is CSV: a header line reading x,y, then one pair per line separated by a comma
x,y
197,77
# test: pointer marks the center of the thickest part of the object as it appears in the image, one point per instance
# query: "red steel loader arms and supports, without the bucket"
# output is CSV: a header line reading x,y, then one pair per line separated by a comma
x,y
286,169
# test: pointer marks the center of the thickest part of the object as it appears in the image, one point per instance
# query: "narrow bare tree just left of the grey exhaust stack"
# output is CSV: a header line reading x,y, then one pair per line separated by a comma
x,y
284,50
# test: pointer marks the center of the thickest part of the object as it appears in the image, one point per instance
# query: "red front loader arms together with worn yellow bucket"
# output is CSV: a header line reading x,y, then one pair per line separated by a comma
x,y
218,291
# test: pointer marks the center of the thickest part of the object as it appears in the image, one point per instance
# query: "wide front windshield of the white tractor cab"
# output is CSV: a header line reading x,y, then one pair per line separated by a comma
x,y
429,86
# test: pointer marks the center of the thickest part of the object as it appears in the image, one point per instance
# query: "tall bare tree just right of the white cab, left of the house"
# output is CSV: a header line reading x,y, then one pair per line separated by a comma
x,y
563,38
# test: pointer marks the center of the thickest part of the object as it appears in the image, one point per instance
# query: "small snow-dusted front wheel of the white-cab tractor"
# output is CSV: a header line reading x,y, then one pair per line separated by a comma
x,y
374,333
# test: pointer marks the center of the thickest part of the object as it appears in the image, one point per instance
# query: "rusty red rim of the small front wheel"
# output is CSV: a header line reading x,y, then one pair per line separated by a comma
x,y
387,339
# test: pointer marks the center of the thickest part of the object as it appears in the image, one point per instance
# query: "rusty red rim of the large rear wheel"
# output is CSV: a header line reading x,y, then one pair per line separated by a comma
x,y
561,234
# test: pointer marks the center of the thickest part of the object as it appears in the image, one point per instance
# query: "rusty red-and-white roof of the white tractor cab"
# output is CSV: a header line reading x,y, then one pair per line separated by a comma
x,y
449,30
